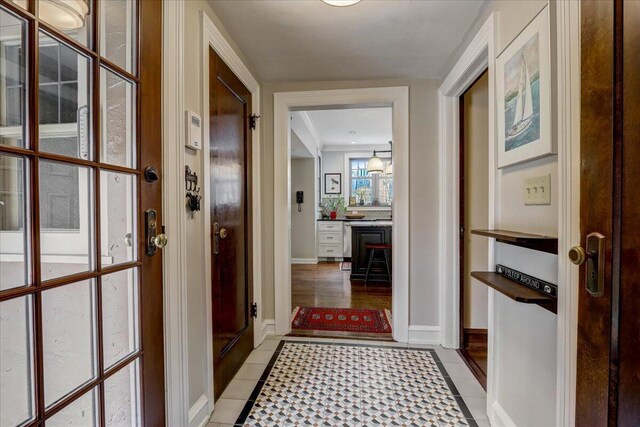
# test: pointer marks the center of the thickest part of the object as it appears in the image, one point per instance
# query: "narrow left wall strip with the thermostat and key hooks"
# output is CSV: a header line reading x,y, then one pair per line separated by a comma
x,y
199,369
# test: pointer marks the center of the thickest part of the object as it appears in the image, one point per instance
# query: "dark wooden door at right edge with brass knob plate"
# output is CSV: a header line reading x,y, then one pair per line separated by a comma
x,y
608,329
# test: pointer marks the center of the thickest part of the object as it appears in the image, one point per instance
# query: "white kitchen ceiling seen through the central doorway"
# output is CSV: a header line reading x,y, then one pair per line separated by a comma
x,y
372,126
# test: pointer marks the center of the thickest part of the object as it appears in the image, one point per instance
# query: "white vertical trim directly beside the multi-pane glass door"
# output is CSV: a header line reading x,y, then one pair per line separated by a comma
x,y
174,255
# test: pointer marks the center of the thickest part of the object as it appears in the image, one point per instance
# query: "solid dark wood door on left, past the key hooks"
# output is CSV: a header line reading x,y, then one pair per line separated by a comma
x,y
230,157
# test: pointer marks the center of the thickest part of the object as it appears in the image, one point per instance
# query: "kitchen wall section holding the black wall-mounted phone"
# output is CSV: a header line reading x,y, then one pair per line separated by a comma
x,y
303,224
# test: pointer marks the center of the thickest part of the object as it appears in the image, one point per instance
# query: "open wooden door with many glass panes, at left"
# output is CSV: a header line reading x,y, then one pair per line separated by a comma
x,y
81,310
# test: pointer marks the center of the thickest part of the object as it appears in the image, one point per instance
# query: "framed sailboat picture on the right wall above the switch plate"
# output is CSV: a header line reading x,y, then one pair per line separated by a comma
x,y
523,82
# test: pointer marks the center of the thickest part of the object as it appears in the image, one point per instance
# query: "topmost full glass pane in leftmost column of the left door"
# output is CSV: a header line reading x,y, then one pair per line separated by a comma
x,y
12,79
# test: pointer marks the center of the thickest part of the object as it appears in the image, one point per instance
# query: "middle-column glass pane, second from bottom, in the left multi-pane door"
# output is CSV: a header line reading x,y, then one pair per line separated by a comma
x,y
69,338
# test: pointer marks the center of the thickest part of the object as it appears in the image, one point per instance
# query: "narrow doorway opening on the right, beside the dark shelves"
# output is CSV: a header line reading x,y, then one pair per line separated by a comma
x,y
474,214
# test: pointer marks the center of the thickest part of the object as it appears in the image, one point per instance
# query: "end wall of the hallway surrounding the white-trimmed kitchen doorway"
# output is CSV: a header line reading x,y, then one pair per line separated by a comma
x,y
423,191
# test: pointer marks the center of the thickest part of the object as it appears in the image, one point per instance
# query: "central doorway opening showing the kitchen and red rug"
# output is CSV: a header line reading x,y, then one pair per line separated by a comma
x,y
341,221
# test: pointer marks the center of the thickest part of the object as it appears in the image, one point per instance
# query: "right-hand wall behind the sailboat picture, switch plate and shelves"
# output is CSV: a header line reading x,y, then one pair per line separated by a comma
x,y
525,336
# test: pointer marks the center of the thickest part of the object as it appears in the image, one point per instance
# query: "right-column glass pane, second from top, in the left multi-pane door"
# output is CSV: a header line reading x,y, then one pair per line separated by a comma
x,y
118,119
